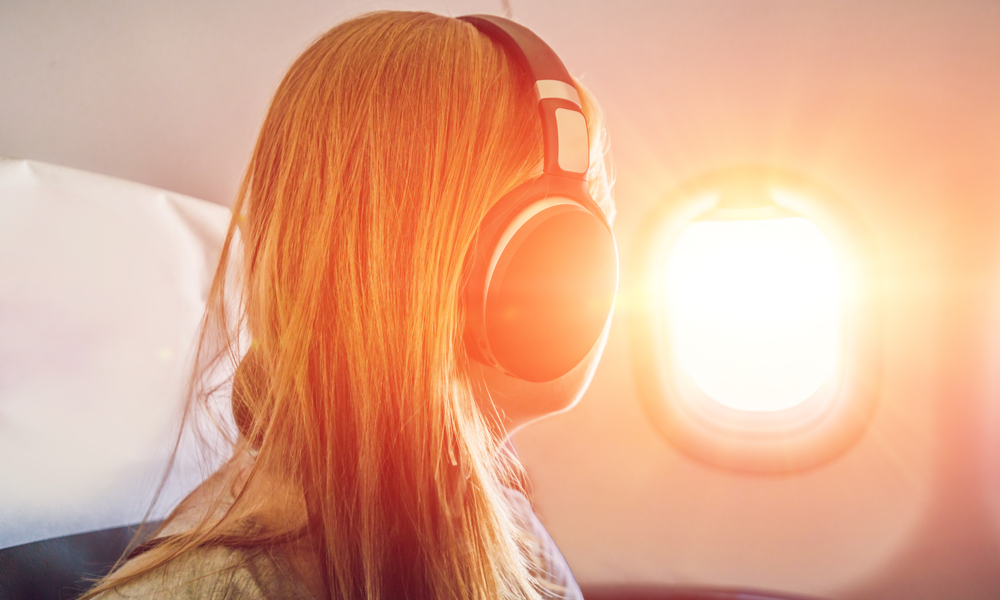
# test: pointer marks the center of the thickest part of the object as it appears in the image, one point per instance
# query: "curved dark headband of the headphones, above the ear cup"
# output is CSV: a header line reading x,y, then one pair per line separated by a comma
x,y
564,127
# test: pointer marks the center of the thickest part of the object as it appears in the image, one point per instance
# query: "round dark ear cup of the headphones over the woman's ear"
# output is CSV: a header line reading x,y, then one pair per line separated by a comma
x,y
551,293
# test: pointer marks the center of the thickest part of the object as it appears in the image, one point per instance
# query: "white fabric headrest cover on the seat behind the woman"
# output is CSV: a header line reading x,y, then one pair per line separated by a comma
x,y
102,287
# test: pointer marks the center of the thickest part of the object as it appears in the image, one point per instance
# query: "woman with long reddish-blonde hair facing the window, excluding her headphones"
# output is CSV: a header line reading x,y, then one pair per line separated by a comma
x,y
371,459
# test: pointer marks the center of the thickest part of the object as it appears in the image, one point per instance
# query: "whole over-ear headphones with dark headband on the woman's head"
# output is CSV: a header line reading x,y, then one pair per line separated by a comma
x,y
544,267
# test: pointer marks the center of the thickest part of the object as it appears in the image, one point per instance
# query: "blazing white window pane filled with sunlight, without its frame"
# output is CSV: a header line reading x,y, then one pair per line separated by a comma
x,y
754,310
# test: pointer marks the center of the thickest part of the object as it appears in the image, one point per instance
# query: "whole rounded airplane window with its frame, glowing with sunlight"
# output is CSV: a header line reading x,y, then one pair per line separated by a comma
x,y
756,320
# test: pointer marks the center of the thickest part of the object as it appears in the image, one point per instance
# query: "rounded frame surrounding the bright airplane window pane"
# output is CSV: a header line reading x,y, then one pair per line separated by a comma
x,y
804,436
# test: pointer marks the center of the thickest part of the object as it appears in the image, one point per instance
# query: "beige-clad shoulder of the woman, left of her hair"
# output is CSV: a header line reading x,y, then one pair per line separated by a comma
x,y
217,573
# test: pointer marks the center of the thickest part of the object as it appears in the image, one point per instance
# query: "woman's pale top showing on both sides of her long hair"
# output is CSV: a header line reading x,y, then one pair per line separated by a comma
x,y
221,573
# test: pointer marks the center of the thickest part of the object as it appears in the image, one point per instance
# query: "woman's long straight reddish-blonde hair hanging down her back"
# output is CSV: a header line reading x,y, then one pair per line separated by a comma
x,y
384,145
